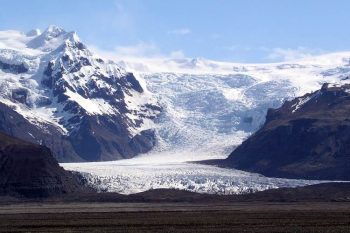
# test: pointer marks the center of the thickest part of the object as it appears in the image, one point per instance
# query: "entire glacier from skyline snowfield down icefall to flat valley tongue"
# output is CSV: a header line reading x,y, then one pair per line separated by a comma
x,y
209,108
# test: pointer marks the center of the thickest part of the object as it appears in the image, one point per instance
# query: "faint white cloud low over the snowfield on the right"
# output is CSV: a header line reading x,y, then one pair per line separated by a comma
x,y
288,54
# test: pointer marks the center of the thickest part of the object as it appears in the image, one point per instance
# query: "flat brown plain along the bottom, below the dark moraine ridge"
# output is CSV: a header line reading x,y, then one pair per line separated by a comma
x,y
176,217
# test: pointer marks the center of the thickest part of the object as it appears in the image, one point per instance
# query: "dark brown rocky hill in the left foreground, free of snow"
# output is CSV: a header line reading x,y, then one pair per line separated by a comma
x,y
30,170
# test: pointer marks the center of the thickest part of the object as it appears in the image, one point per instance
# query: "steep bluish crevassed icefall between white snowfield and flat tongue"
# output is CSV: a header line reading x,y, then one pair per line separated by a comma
x,y
210,114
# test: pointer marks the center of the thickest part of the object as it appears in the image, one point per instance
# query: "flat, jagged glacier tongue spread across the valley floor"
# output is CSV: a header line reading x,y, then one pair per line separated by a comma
x,y
141,174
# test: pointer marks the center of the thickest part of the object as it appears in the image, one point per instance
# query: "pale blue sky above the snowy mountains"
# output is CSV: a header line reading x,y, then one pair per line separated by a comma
x,y
228,30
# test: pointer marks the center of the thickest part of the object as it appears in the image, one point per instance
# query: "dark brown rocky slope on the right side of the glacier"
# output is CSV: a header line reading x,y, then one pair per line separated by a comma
x,y
307,137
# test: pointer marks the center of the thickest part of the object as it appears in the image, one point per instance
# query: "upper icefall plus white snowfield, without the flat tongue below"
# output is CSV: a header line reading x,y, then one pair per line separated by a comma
x,y
210,106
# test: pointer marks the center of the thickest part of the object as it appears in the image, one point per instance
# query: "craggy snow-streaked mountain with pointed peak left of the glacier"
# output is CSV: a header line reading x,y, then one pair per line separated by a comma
x,y
55,92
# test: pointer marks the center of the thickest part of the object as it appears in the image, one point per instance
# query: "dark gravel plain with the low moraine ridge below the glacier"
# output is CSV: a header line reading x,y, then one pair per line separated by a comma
x,y
317,208
